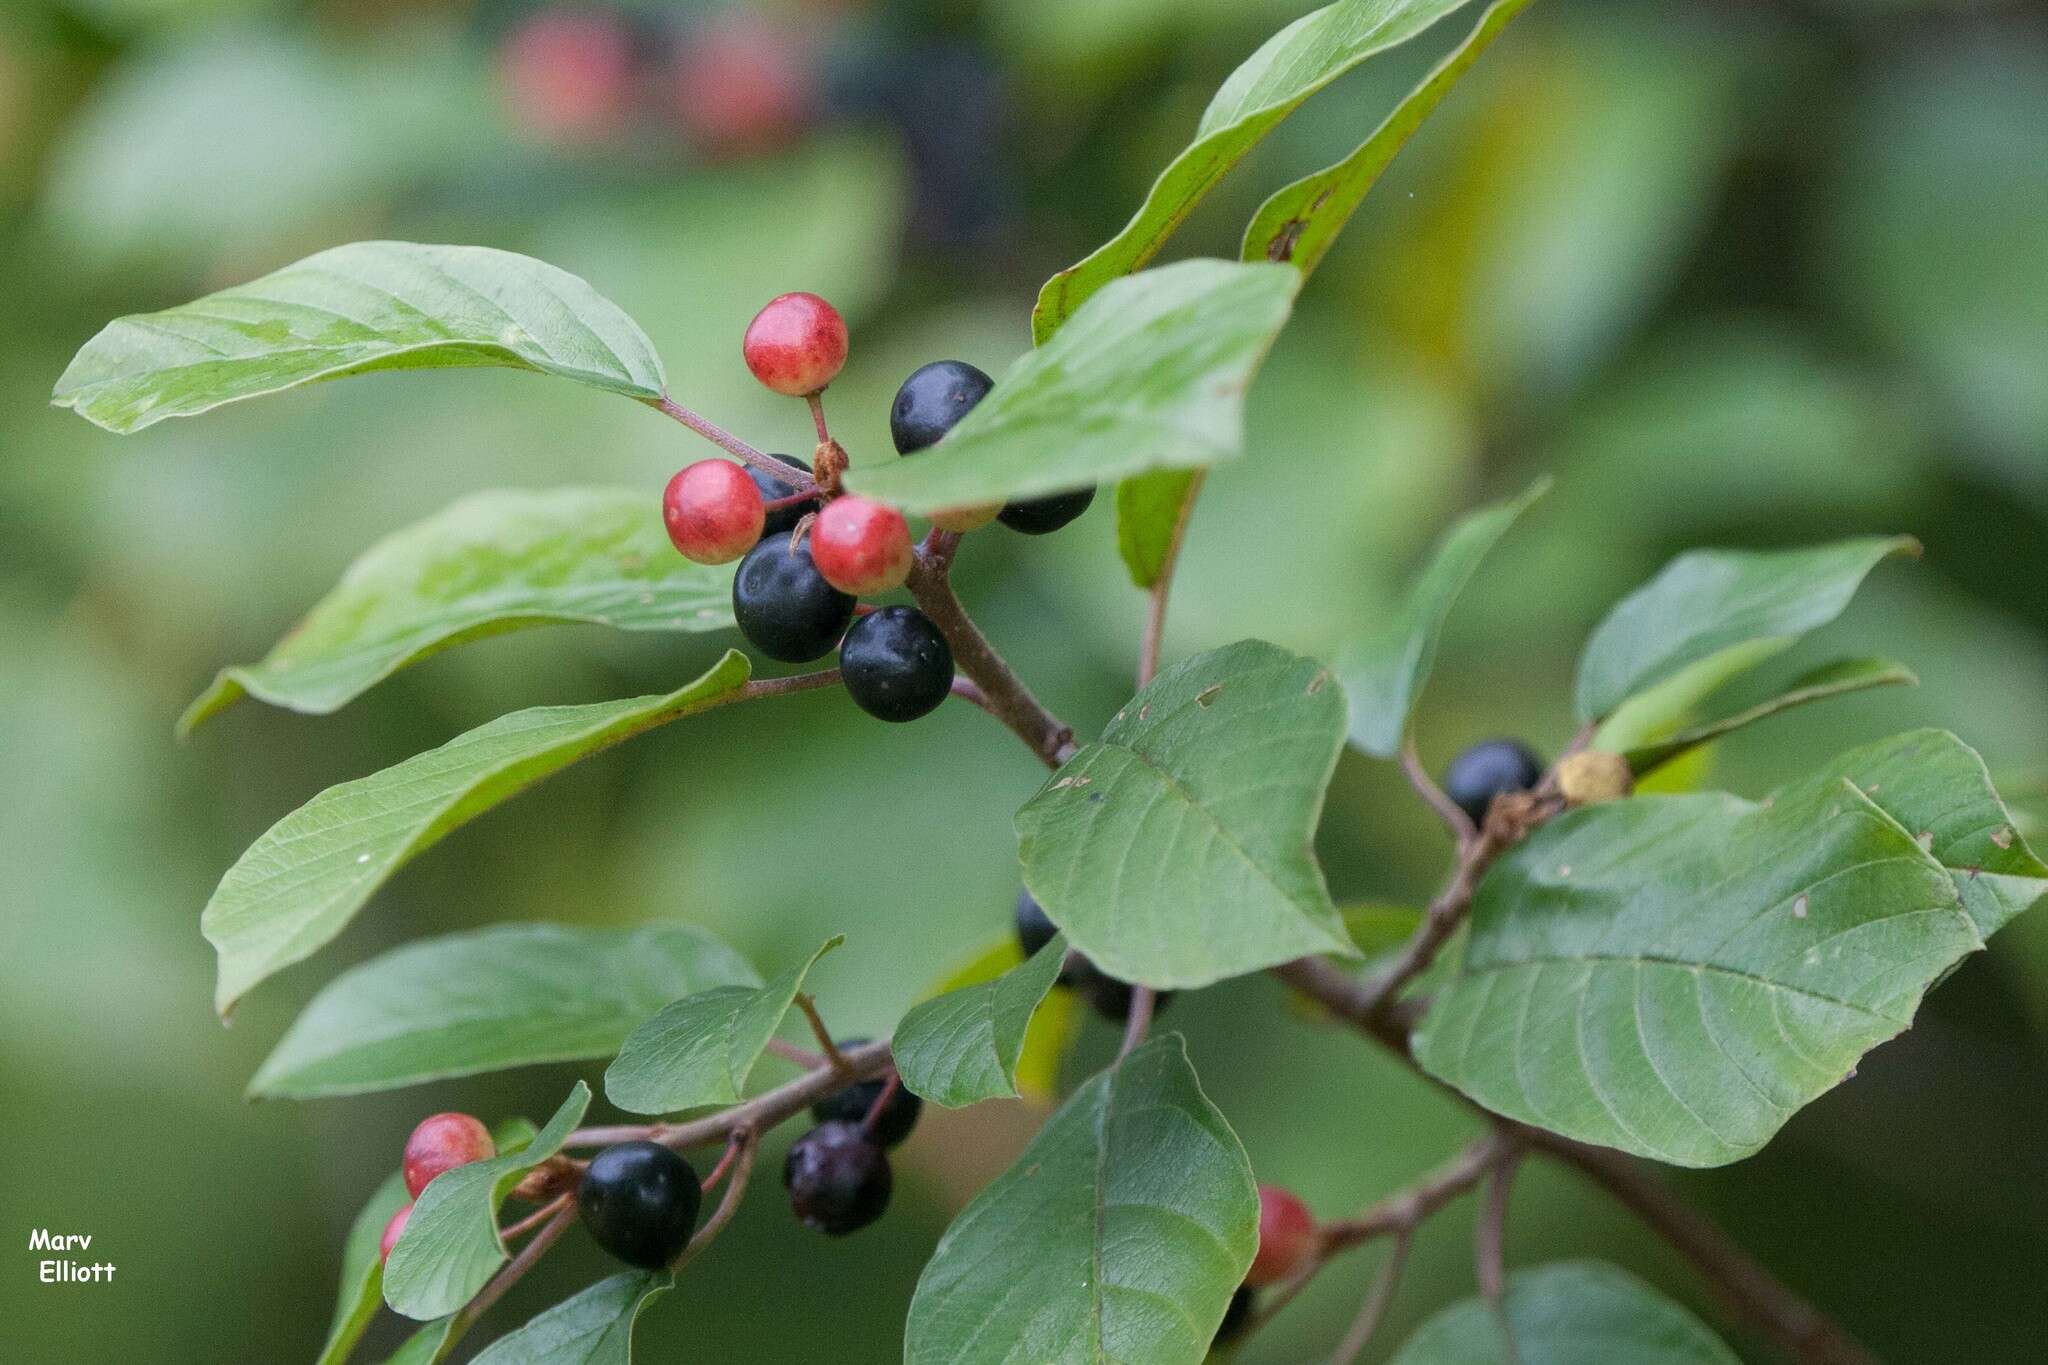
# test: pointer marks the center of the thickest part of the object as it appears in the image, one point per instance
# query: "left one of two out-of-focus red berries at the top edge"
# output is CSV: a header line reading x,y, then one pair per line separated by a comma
x,y
568,77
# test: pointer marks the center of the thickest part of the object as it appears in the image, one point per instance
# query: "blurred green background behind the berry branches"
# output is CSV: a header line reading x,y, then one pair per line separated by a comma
x,y
1736,271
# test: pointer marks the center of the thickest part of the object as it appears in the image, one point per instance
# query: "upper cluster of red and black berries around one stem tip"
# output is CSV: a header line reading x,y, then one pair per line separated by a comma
x,y
808,552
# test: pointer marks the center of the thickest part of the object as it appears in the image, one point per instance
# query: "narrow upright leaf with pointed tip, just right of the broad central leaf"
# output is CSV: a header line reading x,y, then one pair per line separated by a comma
x,y
1385,672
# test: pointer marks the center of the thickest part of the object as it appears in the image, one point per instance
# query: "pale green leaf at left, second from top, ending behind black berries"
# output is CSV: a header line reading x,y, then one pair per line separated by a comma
x,y
497,562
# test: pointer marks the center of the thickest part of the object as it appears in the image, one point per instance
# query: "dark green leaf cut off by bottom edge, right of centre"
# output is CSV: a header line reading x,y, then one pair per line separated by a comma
x,y
1574,1313
